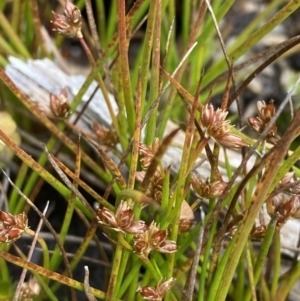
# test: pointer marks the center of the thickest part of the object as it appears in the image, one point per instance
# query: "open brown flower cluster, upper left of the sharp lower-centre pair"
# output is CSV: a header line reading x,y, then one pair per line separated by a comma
x,y
122,220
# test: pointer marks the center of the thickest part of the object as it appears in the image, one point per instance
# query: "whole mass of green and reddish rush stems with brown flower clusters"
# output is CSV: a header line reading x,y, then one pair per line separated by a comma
x,y
177,68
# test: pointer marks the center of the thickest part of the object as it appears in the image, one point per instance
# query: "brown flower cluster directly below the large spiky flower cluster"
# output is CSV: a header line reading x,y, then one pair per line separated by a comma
x,y
206,189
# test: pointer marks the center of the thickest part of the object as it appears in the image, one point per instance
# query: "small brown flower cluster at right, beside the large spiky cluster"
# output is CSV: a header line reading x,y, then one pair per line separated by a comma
x,y
259,123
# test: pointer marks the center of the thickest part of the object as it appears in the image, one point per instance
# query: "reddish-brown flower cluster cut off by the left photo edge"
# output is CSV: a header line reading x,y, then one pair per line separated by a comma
x,y
12,226
